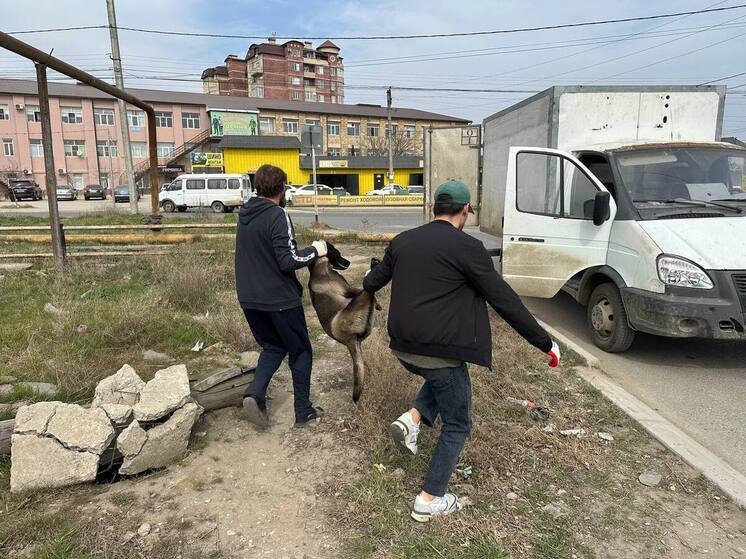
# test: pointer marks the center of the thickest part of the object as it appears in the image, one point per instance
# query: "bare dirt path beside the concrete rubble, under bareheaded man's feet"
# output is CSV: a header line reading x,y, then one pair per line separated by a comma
x,y
246,492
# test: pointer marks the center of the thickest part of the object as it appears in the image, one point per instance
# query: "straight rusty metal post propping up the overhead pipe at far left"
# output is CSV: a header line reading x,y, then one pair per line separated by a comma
x,y
58,247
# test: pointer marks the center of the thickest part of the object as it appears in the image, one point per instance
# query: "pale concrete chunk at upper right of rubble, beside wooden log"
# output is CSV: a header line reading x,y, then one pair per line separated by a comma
x,y
168,391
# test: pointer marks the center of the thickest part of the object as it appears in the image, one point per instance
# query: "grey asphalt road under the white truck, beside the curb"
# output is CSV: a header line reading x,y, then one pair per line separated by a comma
x,y
699,385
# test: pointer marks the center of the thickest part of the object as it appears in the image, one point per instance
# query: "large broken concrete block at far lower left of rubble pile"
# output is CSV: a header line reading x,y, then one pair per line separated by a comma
x,y
40,462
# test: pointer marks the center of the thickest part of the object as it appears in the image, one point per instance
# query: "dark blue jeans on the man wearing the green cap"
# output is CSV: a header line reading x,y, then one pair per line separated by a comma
x,y
445,393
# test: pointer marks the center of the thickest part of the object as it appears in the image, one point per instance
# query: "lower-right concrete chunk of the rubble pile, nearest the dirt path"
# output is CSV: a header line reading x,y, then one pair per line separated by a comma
x,y
166,443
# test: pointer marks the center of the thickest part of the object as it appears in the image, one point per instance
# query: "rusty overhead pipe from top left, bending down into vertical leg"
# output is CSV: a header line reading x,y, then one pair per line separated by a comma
x,y
27,51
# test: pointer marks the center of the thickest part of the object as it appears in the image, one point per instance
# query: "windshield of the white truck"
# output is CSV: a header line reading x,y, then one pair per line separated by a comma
x,y
685,179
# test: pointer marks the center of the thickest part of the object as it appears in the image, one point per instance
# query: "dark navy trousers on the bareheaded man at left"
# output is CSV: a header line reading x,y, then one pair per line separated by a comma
x,y
282,333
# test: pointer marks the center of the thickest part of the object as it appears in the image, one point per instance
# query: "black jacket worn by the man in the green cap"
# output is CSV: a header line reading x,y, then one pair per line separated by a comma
x,y
441,279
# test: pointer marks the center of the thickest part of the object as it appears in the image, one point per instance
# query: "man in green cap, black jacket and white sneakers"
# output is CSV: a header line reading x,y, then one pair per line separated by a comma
x,y
437,323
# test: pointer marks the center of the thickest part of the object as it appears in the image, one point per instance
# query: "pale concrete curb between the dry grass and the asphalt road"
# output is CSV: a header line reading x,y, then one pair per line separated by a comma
x,y
719,472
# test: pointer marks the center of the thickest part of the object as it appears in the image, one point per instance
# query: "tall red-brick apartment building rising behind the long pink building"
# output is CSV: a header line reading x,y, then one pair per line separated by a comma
x,y
292,71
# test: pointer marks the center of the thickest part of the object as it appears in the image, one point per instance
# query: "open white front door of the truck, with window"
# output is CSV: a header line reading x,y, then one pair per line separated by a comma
x,y
549,233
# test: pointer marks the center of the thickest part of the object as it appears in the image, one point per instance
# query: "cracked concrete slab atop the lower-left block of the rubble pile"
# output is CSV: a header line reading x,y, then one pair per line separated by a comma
x,y
78,428
